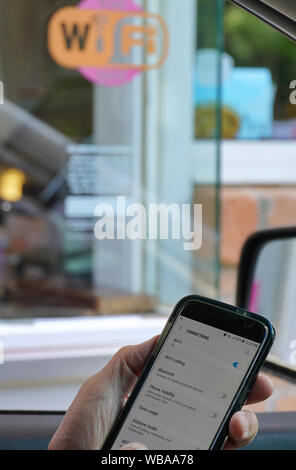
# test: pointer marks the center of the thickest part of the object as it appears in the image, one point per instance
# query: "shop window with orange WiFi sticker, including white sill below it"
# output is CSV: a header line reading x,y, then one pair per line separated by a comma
x,y
82,144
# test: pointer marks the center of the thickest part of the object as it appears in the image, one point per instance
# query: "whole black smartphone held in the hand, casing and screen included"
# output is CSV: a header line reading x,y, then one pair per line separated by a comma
x,y
200,373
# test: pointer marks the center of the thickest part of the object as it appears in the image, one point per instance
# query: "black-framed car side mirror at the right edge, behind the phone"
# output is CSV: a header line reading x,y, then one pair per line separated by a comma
x,y
267,285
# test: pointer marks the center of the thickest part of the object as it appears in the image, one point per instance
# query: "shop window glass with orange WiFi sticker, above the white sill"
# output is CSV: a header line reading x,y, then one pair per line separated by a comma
x,y
75,137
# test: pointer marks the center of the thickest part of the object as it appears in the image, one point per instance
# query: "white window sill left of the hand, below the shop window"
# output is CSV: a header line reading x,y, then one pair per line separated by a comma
x,y
47,360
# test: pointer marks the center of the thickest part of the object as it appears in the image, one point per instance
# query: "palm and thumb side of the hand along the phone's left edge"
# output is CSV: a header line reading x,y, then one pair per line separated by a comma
x,y
93,411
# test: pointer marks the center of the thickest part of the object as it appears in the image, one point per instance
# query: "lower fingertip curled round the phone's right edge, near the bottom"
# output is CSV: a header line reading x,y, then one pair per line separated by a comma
x,y
243,428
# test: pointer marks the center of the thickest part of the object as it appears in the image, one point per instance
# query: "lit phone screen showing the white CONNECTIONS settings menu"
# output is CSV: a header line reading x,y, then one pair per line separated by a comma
x,y
189,389
